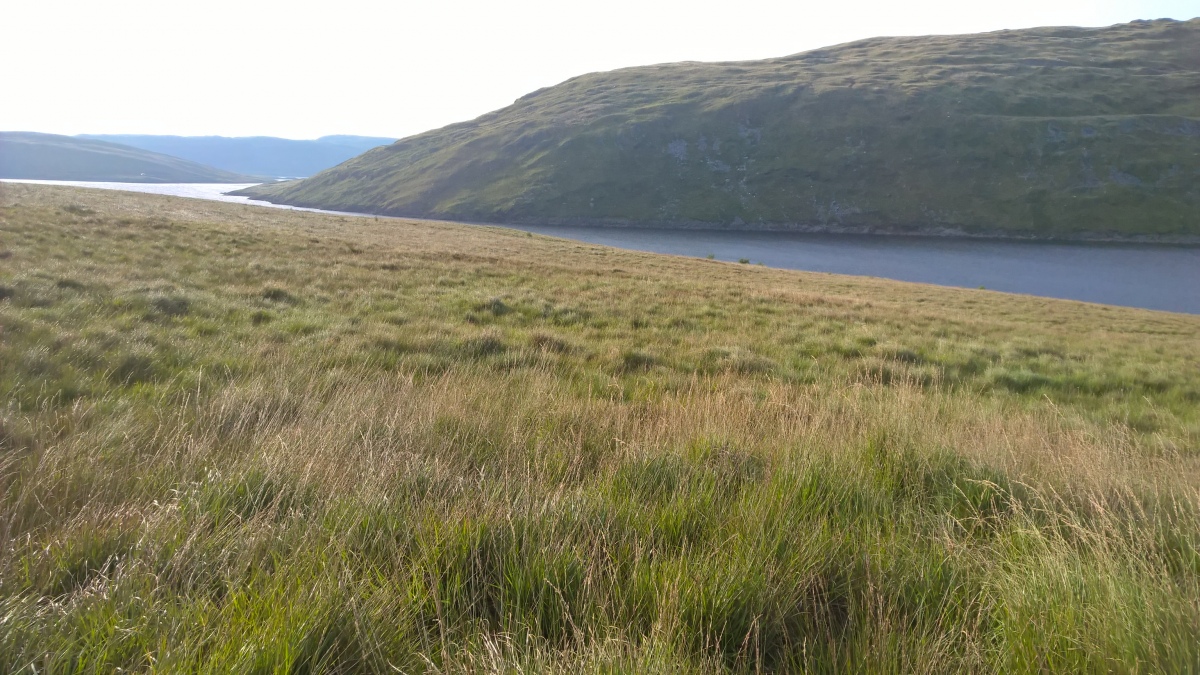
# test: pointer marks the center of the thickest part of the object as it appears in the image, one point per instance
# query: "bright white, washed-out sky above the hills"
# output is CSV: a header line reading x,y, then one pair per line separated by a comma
x,y
303,69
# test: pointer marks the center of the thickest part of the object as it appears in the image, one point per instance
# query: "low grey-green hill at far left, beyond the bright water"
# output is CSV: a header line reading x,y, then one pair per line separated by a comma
x,y
47,157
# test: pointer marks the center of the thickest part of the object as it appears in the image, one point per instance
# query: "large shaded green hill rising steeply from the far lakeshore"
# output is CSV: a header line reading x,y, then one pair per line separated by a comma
x,y
1045,133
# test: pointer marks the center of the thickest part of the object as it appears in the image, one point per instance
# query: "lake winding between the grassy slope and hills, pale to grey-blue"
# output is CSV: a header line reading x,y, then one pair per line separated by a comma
x,y
1141,276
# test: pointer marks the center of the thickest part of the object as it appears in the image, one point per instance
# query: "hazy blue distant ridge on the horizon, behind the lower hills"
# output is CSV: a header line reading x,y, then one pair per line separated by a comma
x,y
259,156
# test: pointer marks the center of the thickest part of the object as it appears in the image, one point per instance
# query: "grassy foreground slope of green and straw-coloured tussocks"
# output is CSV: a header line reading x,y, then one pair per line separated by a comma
x,y
248,440
